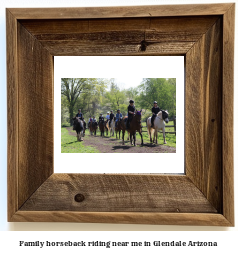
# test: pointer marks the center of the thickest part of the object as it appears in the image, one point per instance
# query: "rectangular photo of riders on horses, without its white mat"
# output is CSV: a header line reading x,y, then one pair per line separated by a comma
x,y
118,115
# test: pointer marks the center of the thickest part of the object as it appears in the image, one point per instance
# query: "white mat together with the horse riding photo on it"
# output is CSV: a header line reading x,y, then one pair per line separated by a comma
x,y
125,108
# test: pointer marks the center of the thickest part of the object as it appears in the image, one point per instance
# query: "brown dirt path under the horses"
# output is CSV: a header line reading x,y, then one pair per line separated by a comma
x,y
113,145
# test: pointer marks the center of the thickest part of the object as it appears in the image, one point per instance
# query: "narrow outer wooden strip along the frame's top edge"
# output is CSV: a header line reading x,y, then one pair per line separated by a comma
x,y
121,11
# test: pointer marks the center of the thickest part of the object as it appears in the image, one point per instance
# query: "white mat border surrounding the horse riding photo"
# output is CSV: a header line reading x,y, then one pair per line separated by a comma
x,y
119,66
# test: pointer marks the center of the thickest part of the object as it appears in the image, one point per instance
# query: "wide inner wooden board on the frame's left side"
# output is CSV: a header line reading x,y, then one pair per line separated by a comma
x,y
35,114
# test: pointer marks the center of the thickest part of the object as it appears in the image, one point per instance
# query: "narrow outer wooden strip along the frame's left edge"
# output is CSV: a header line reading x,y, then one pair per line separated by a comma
x,y
12,114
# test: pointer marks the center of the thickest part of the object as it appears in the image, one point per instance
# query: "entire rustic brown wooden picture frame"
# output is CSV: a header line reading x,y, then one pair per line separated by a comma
x,y
204,34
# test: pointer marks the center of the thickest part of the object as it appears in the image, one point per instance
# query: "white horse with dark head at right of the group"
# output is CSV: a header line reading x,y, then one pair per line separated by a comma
x,y
159,124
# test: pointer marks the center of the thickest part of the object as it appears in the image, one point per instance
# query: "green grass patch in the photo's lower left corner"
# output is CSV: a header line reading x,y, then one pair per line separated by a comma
x,y
69,144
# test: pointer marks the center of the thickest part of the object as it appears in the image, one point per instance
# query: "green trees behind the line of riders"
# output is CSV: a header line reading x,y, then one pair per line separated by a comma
x,y
97,95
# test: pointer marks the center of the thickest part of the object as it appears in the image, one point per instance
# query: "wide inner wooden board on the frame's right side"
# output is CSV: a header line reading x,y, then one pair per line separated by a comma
x,y
204,115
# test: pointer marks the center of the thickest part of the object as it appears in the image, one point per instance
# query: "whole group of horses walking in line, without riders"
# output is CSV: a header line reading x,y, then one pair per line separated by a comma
x,y
121,127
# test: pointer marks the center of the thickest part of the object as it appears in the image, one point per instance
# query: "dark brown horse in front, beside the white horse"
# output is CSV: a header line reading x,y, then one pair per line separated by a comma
x,y
135,125
